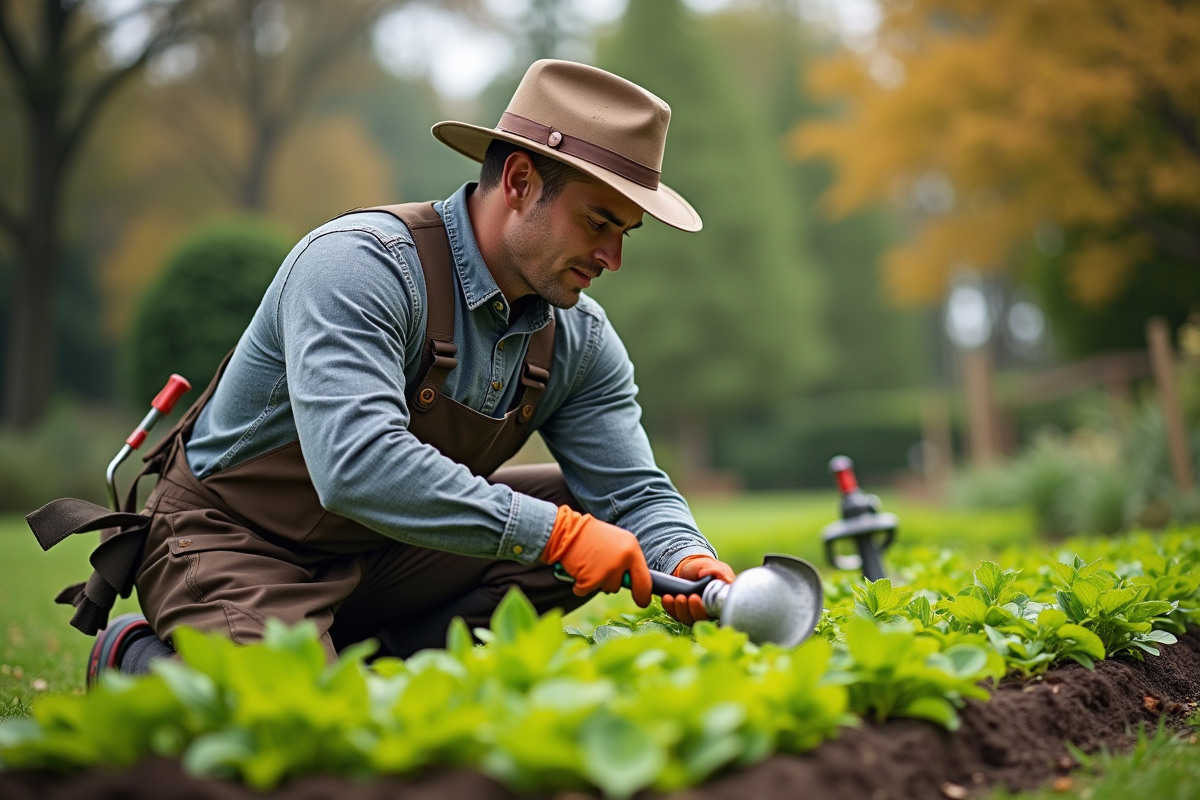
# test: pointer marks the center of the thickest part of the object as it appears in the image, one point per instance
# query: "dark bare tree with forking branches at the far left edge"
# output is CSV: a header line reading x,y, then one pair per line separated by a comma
x,y
64,75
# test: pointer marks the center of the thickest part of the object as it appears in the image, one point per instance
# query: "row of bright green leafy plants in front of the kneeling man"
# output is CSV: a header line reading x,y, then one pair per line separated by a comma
x,y
640,703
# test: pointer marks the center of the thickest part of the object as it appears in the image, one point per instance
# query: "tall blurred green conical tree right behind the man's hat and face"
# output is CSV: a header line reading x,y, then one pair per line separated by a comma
x,y
727,320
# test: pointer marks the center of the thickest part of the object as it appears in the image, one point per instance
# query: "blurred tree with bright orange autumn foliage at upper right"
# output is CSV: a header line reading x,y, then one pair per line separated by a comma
x,y
1067,128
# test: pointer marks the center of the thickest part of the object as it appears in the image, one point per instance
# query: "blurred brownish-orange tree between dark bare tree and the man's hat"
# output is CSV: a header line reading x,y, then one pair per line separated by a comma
x,y
250,117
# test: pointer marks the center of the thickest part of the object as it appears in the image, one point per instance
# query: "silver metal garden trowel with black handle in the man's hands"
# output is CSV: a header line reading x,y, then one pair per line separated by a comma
x,y
779,601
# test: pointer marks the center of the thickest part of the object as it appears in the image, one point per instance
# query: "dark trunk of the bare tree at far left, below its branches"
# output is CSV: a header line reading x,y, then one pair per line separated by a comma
x,y
29,366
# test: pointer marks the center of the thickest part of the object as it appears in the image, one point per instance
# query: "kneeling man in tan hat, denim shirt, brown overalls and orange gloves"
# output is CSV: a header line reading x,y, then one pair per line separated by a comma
x,y
345,465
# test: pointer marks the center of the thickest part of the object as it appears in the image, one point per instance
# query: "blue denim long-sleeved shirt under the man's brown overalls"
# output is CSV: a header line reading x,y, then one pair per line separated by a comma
x,y
339,336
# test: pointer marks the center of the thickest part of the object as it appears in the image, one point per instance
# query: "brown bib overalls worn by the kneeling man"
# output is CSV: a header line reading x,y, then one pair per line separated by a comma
x,y
253,542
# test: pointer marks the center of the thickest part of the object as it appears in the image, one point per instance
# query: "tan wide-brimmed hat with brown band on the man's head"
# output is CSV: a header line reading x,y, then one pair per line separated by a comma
x,y
593,121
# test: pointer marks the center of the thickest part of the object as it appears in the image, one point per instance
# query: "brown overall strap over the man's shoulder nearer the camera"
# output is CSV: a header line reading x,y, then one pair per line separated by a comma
x,y
439,353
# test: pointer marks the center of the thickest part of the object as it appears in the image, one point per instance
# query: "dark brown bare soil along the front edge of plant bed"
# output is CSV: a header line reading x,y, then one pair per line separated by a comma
x,y
1017,741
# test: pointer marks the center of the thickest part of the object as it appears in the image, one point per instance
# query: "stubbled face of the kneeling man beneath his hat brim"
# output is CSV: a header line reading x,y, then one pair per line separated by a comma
x,y
563,245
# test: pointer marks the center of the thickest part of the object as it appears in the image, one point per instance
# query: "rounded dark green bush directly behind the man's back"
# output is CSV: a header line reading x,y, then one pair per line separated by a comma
x,y
199,309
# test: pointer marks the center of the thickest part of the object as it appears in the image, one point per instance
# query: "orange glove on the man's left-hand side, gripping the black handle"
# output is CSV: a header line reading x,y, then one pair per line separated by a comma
x,y
598,556
